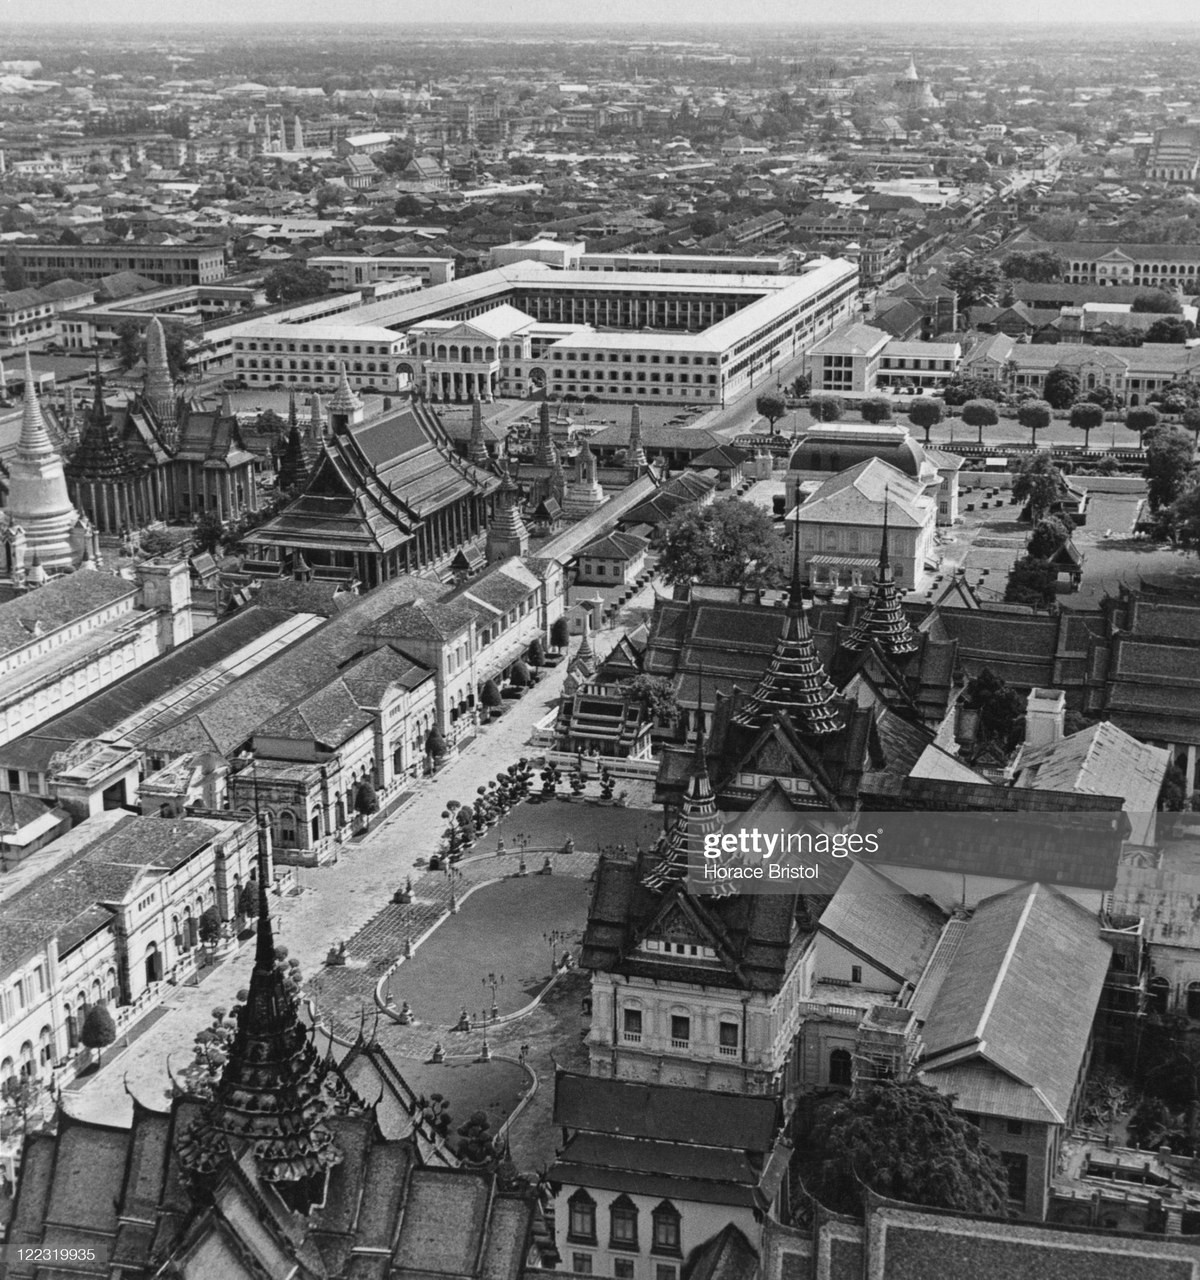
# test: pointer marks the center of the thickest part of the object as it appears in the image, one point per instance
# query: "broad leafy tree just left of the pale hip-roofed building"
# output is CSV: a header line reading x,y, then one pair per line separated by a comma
x,y
727,543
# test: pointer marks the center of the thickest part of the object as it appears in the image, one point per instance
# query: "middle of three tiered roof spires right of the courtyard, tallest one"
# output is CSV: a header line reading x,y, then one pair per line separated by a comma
x,y
795,684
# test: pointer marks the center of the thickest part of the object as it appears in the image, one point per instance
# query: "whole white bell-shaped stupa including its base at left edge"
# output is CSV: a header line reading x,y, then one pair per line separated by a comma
x,y
42,529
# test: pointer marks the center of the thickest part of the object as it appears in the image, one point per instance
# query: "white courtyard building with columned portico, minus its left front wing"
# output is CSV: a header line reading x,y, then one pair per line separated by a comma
x,y
613,336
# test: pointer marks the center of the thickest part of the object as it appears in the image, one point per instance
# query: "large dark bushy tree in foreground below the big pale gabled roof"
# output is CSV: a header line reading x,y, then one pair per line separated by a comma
x,y
905,1141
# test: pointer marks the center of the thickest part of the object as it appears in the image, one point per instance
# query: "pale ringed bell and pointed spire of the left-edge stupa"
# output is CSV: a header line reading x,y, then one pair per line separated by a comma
x,y
39,500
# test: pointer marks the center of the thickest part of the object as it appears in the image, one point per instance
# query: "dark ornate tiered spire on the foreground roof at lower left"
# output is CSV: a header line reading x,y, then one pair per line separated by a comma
x,y
272,1092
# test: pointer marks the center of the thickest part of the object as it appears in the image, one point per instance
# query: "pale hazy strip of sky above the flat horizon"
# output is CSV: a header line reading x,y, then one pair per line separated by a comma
x,y
951,13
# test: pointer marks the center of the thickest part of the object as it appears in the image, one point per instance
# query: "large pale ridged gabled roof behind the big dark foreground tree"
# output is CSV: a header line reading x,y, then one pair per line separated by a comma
x,y
1010,1027
